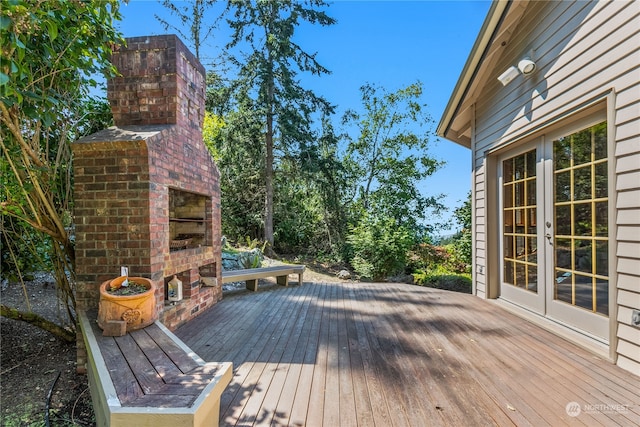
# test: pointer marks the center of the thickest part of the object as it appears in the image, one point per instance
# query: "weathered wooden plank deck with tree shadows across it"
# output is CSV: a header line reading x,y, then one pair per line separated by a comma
x,y
363,354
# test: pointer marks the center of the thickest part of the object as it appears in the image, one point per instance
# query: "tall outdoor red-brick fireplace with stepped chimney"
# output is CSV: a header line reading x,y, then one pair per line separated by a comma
x,y
147,192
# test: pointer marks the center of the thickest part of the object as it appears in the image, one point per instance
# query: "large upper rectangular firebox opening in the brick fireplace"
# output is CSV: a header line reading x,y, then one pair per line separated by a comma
x,y
189,216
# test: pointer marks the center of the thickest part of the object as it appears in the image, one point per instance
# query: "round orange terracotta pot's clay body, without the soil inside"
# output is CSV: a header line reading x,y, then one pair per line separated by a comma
x,y
137,310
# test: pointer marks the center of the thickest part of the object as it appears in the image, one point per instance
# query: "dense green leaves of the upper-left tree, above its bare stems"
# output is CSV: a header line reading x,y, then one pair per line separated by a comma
x,y
50,51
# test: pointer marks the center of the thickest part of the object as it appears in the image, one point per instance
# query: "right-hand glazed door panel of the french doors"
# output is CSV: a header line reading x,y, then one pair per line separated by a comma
x,y
580,246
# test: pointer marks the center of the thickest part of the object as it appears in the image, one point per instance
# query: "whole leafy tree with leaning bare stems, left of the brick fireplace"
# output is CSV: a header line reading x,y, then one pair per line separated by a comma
x,y
50,51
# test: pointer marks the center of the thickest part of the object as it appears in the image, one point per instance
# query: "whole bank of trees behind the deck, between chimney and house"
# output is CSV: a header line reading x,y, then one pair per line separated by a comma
x,y
280,173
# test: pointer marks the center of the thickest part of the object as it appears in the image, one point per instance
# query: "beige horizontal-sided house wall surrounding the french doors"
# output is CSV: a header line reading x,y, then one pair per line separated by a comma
x,y
588,59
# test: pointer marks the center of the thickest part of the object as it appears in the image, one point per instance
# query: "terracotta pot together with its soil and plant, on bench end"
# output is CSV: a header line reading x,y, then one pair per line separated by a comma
x,y
126,304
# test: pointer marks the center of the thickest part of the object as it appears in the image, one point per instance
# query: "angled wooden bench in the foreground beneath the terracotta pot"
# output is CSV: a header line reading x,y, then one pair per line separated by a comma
x,y
150,377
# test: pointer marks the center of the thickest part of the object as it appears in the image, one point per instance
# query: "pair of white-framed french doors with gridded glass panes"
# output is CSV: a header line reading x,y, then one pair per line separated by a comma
x,y
555,228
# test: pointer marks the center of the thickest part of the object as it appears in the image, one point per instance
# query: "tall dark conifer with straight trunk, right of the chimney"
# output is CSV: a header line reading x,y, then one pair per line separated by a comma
x,y
267,78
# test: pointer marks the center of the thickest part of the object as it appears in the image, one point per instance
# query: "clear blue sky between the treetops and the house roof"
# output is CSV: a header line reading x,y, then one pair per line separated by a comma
x,y
387,43
